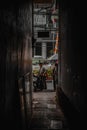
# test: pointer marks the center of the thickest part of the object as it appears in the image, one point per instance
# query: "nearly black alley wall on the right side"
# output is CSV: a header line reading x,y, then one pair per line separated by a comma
x,y
70,54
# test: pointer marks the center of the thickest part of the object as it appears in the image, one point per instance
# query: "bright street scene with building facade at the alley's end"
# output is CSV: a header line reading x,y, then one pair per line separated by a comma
x,y
45,27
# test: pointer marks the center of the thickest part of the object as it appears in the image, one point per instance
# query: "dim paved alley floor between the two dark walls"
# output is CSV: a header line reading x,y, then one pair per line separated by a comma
x,y
47,115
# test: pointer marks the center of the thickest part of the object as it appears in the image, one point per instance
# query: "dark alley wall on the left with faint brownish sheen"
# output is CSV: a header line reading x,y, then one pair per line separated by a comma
x,y
15,60
